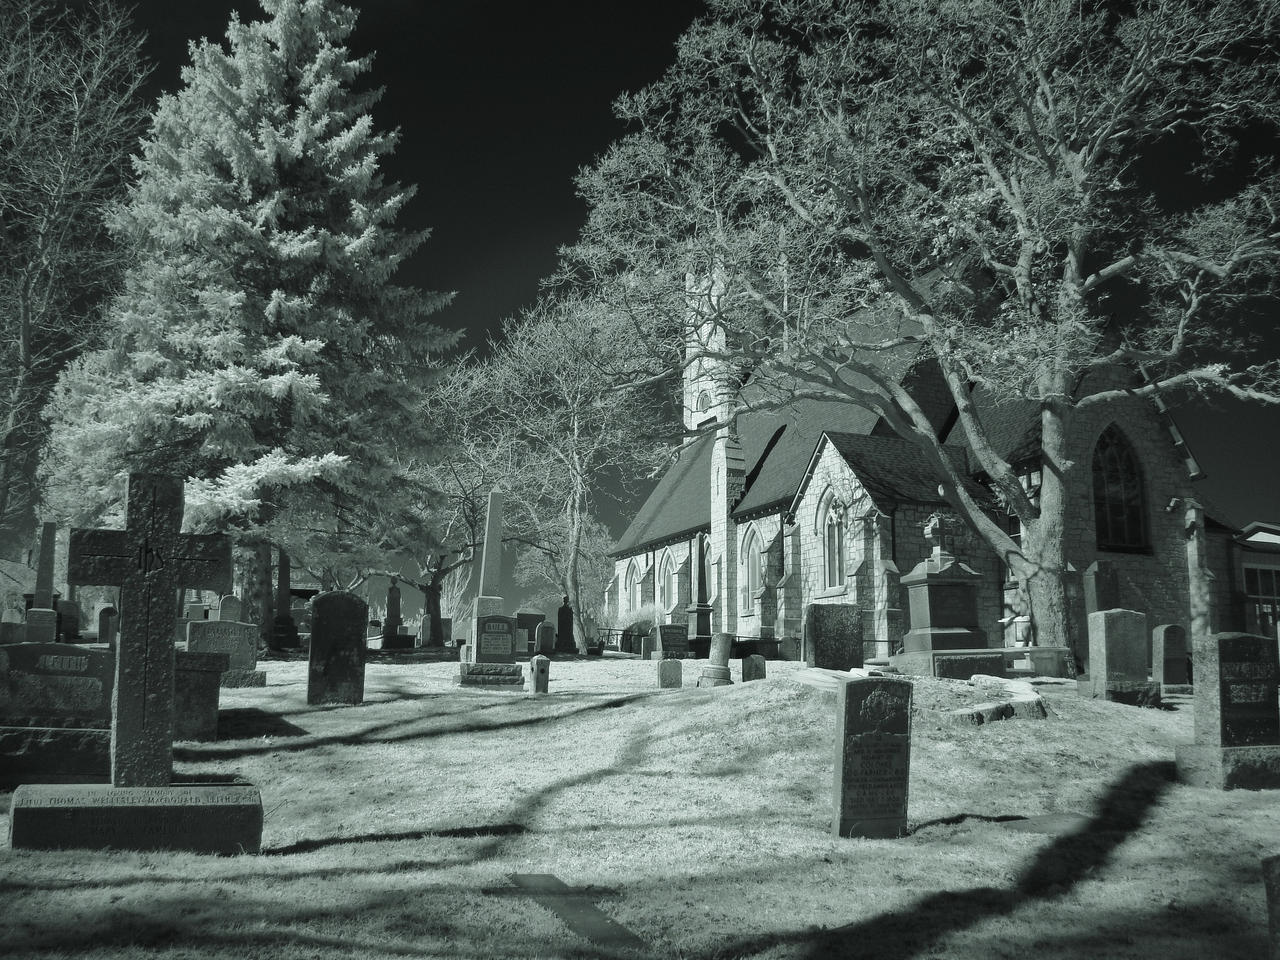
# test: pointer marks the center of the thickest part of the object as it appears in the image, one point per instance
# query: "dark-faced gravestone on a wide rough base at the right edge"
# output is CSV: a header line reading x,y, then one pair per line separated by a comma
x,y
1237,715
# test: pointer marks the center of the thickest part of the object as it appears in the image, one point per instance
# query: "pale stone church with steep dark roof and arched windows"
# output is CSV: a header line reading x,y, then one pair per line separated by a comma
x,y
822,502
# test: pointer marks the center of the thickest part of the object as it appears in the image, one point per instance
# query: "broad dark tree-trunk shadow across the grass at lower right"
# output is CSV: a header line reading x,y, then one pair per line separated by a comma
x,y
916,931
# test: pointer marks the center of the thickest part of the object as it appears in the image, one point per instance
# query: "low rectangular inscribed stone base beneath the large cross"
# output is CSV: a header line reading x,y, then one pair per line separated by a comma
x,y
198,819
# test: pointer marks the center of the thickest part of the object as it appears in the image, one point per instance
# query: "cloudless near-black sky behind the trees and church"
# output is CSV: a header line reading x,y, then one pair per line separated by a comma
x,y
500,104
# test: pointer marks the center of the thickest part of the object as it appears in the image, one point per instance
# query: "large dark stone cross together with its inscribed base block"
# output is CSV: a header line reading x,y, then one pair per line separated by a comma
x,y
148,561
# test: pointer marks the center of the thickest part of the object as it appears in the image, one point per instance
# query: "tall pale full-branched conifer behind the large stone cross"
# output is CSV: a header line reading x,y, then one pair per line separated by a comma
x,y
263,348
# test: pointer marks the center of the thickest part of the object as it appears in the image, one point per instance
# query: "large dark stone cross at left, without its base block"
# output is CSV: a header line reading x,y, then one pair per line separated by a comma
x,y
149,561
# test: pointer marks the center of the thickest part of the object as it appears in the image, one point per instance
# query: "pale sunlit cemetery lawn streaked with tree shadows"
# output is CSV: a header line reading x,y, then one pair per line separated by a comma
x,y
700,820
